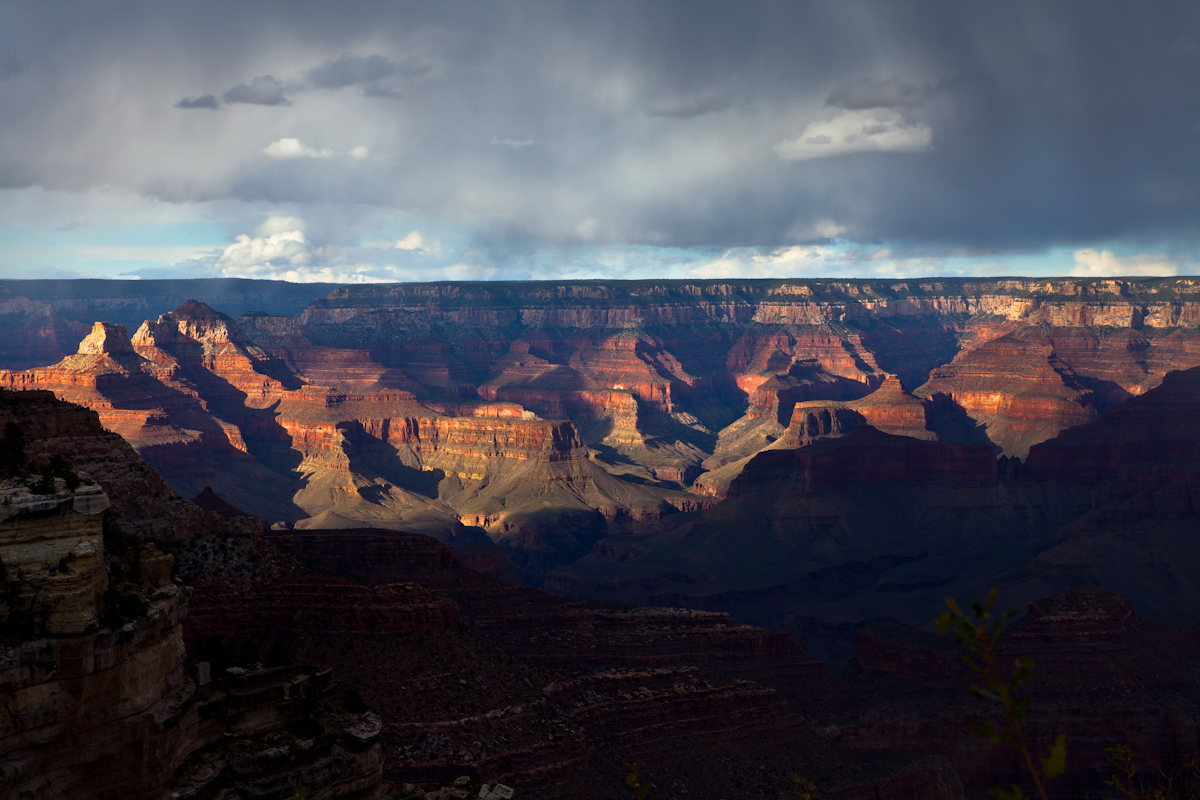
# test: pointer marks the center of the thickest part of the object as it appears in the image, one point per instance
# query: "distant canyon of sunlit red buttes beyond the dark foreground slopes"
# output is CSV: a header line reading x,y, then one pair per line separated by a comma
x,y
615,441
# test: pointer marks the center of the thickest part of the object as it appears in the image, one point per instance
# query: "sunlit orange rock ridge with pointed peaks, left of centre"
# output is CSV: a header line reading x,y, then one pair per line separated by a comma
x,y
211,410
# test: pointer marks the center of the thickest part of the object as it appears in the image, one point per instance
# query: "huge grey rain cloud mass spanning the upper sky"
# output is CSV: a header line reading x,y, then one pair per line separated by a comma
x,y
1049,124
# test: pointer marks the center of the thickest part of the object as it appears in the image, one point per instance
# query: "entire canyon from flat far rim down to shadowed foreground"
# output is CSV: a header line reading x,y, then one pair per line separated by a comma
x,y
547,531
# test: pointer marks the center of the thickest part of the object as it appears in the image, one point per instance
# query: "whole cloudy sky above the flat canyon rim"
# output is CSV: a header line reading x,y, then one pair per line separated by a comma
x,y
365,142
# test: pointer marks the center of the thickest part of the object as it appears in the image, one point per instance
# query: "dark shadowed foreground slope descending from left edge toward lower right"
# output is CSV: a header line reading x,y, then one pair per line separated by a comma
x,y
131,664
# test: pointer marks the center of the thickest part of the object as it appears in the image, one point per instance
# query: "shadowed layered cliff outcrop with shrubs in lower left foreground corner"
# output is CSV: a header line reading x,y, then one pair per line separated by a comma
x,y
95,694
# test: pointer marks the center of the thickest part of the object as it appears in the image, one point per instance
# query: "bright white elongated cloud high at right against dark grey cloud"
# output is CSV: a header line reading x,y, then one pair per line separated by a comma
x,y
857,131
